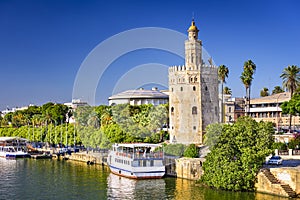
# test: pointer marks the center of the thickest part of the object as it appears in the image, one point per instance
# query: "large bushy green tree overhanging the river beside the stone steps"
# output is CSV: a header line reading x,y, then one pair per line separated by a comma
x,y
235,160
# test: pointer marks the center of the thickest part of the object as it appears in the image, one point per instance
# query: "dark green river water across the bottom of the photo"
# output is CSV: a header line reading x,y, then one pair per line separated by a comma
x,y
52,179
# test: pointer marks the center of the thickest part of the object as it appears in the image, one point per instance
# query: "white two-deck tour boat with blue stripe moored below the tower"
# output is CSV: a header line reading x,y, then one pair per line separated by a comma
x,y
136,160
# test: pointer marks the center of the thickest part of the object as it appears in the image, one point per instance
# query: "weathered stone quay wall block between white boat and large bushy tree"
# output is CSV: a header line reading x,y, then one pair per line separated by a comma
x,y
189,168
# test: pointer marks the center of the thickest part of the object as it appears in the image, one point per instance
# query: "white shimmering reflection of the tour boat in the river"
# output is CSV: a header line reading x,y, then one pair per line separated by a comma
x,y
125,188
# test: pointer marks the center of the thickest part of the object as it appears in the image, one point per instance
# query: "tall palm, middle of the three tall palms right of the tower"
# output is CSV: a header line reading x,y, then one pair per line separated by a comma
x,y
247,77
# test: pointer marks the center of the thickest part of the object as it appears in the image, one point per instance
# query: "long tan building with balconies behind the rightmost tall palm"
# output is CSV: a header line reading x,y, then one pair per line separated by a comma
x,y
268,109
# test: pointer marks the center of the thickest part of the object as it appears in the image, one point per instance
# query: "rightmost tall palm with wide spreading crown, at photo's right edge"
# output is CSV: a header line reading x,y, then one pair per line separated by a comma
x,y
291,81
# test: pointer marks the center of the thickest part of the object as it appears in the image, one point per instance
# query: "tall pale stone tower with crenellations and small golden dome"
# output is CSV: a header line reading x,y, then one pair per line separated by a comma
x,y
193,96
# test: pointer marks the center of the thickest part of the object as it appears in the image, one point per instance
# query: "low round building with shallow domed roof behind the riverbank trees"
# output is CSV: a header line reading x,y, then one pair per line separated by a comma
x,y
139,97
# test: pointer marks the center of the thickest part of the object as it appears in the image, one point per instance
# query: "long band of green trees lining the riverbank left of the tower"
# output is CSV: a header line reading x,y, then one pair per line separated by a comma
x,y
97,126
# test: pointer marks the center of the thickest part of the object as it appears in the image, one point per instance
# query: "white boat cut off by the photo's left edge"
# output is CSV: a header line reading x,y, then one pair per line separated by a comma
x,y
13,147
